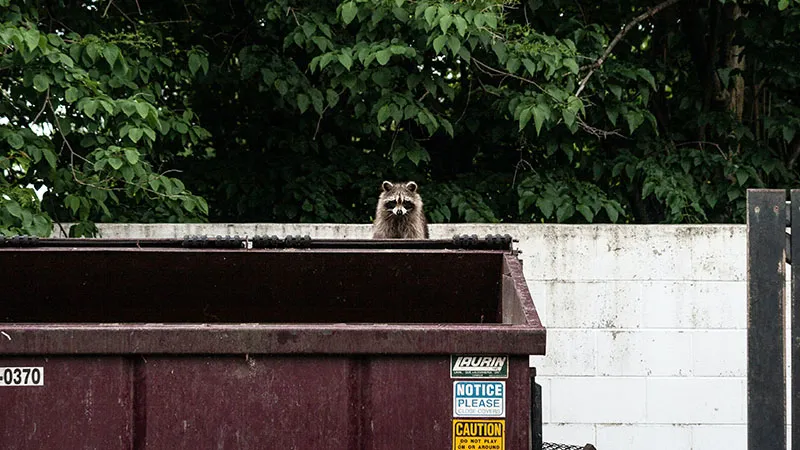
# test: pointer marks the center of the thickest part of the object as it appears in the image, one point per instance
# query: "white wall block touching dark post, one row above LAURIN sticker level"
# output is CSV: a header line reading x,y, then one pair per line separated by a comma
x,y
694,304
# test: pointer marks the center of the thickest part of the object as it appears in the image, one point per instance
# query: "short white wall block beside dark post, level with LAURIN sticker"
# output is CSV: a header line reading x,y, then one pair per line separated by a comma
x,y
719,353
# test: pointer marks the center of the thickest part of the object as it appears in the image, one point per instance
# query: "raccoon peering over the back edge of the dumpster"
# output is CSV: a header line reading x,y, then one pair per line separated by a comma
x,y
399,214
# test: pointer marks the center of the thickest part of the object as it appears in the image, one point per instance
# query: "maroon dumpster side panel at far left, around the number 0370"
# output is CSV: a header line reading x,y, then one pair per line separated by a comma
x,y
86,402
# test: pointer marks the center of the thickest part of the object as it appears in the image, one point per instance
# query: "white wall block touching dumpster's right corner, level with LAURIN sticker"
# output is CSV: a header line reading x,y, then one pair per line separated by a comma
x,y
569,353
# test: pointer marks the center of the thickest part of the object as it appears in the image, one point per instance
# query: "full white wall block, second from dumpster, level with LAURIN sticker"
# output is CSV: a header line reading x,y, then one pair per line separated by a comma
x,y
644,353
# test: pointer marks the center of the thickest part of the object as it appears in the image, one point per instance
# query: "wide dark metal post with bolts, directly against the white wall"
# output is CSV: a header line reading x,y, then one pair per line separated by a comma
x,y
766,278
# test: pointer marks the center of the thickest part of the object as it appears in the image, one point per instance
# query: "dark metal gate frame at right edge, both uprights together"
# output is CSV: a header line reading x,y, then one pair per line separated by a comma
x,y
769,249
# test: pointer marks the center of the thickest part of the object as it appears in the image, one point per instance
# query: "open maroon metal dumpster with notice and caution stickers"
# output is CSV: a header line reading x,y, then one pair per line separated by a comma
x,y
266,343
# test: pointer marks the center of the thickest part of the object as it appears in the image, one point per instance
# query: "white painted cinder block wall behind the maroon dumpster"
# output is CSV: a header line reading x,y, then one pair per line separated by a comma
x,y
646,326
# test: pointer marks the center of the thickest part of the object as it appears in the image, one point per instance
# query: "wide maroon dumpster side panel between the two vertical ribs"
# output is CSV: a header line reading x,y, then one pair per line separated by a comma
x,y
248,403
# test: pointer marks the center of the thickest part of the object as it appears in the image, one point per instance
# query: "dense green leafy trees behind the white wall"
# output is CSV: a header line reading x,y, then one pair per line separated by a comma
x,y
537,110
